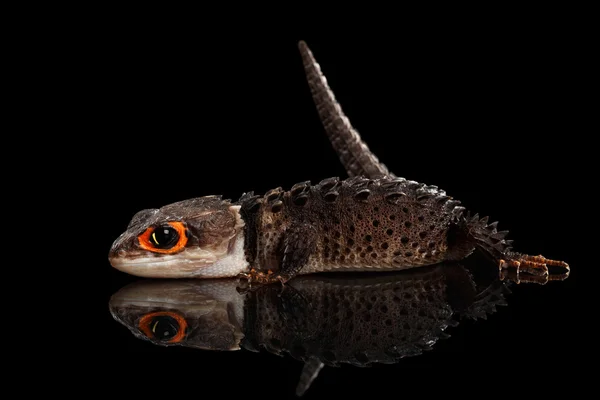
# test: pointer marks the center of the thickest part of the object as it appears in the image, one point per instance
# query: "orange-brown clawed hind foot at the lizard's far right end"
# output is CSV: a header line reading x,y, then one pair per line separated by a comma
x,y
535,266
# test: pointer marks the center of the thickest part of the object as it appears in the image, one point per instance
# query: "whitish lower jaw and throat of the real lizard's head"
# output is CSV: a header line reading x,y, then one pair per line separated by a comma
x,y
191,263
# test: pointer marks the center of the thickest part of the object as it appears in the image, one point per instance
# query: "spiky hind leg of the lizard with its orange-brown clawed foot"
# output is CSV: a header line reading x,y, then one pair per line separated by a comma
x,y
492,243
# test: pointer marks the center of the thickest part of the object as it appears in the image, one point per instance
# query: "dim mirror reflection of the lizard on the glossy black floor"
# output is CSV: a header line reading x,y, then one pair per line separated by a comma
x,y
324,321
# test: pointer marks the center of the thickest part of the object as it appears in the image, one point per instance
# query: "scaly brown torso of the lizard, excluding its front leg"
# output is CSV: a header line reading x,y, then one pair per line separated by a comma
x,y
359,224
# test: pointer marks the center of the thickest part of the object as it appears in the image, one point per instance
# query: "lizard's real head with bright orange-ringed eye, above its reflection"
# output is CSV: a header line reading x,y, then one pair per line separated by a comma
x,y
191,238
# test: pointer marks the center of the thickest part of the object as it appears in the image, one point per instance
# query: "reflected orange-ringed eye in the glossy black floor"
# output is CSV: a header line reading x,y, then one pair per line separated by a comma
x,y
164,326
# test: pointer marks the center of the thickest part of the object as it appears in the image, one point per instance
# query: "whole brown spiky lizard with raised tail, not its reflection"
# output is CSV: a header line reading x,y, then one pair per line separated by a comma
x,y
370,221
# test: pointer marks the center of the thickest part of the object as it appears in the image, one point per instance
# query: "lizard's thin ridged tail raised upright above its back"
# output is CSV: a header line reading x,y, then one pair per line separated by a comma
x,y
352,151
